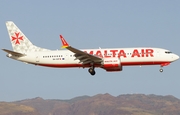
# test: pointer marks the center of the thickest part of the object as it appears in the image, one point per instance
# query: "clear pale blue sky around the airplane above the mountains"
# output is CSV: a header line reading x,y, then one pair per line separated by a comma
x,y
90,24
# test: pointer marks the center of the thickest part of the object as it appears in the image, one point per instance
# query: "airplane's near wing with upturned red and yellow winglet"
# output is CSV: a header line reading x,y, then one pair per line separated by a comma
x,y
84,57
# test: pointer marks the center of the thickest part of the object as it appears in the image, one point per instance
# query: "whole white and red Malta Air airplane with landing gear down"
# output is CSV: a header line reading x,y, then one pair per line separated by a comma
x,y
109,59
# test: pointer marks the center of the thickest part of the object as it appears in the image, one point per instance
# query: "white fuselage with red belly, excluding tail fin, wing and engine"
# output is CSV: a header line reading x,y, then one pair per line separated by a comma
x,y
127,56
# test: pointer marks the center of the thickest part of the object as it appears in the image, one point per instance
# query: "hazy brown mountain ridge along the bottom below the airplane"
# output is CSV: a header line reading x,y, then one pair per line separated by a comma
x,y
101,104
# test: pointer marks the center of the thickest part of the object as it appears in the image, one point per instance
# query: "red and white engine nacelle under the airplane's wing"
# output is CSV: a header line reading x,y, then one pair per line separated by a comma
x,y
112,64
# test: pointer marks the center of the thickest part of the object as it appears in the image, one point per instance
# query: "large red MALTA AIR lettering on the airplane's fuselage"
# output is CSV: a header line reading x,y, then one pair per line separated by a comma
x,y
122,53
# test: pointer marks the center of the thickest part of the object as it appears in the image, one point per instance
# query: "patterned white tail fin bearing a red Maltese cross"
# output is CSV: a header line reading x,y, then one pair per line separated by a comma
x,y
20,43
